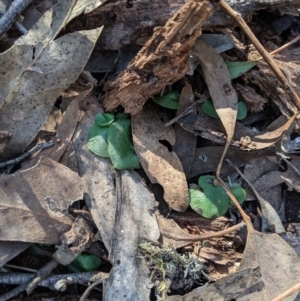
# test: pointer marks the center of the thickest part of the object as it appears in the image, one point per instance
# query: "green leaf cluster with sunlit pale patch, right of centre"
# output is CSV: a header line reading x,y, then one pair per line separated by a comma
x,y
212,201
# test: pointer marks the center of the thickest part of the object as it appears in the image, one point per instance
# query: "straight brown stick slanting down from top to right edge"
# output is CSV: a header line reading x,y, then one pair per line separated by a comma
x,y
267,56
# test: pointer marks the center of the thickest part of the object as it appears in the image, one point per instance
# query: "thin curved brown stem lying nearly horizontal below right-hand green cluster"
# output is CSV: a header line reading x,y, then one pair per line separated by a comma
x,y
203,236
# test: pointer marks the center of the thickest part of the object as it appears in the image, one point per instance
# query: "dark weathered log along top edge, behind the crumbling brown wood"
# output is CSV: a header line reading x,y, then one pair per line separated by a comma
x,y
126,21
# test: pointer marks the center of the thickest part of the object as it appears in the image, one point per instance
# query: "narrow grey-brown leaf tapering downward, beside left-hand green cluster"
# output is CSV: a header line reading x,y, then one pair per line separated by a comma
x,y
97,174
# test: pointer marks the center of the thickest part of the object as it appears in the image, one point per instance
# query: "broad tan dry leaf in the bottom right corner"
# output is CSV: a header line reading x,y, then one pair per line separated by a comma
x,y
278,262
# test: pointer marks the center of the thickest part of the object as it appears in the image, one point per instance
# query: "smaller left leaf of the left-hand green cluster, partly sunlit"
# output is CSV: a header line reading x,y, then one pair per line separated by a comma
x,y
97,141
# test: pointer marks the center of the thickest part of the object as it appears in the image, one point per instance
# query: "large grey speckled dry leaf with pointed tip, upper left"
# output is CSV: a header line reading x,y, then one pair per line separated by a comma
x,y
28,97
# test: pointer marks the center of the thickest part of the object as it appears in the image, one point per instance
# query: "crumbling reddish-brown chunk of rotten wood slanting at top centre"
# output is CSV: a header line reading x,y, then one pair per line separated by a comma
x,y
162,61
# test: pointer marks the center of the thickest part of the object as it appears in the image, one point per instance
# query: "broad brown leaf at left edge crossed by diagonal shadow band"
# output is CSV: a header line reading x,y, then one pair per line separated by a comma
x,y
34,202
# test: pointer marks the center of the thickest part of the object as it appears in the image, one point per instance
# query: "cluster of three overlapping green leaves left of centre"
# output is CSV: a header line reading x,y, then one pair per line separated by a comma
x,y
111,137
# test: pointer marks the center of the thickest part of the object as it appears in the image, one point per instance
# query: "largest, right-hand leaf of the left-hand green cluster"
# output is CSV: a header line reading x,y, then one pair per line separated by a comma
x,y
120,148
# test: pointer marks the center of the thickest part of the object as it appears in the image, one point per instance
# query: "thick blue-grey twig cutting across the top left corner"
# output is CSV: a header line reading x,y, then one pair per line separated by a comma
x,y
11,15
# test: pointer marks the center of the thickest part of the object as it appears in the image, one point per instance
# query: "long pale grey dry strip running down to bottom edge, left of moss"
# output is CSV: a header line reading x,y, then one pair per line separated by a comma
x,y
129,278
